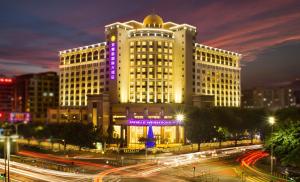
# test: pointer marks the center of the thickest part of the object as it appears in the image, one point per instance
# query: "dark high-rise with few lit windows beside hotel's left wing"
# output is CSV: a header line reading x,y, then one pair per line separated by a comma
x,y
35,93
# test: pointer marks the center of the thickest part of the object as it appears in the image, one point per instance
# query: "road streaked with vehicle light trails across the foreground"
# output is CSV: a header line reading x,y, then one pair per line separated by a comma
x,y
212,165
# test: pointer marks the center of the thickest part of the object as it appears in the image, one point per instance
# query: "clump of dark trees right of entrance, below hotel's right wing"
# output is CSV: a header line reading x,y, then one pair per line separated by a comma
x,y
223,122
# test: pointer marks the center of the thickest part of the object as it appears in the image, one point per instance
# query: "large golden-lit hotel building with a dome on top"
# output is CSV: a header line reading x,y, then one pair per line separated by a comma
x,y
143,75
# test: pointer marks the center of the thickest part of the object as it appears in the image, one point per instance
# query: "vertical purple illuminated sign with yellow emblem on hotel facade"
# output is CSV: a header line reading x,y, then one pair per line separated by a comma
x,y
112,57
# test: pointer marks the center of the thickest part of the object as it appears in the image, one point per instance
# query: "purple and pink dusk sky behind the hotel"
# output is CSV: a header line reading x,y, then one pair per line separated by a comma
x,y
265,32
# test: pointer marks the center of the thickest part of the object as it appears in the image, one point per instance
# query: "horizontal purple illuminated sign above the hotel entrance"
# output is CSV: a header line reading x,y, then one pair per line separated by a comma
x,y
153,122
